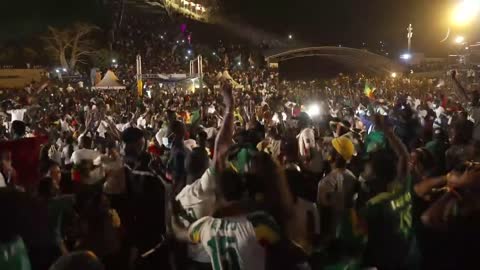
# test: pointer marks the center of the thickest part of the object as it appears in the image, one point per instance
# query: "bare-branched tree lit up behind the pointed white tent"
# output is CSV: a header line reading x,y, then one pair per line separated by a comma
x,y
71,45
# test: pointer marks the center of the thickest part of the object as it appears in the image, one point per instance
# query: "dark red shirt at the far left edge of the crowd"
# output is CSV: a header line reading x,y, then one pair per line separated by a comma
x,y
25,158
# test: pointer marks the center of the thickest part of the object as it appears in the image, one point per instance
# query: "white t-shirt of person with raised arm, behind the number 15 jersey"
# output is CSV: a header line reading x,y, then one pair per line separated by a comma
x,y
198,199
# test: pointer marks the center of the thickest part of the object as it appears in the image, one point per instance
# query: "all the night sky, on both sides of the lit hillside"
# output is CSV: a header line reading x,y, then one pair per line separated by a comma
x,y
312,22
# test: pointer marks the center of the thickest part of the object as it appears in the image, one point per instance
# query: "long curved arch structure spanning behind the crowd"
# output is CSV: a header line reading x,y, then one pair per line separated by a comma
x,y
355,59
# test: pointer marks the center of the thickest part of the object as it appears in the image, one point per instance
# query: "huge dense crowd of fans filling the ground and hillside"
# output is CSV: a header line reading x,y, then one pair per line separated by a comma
x,y
249,172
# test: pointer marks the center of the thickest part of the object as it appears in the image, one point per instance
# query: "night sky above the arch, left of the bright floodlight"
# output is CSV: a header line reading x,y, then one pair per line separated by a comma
x,y
351,22
